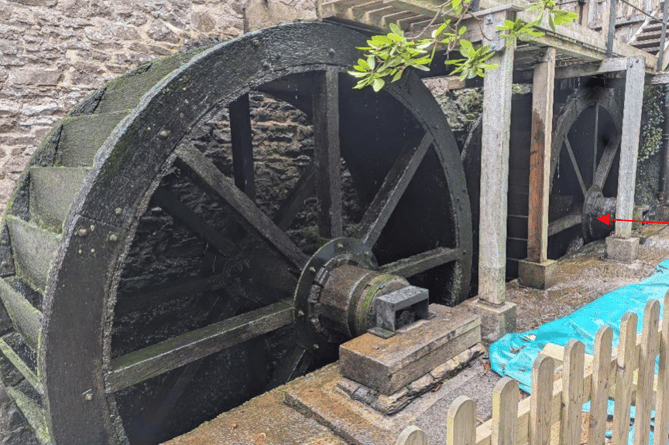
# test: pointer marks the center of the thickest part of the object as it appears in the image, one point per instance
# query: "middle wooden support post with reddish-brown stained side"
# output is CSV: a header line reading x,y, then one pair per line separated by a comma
x,y
540,157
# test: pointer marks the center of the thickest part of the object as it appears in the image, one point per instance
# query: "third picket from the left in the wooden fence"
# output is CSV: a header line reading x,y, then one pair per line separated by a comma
x,y
505,397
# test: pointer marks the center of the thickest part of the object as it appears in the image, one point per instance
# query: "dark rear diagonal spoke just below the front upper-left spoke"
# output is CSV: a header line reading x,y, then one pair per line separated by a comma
x,y
173,206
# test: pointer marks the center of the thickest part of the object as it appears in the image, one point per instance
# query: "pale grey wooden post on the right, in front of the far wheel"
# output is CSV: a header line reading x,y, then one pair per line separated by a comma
x,y
629,145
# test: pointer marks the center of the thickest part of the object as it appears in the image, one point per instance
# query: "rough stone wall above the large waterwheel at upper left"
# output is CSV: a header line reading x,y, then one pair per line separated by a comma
x,y
55,52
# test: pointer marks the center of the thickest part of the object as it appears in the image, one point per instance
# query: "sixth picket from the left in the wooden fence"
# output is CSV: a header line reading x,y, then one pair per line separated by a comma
x,y
600,385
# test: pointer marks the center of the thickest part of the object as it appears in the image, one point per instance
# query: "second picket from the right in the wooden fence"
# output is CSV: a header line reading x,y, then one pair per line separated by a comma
x,y
647,354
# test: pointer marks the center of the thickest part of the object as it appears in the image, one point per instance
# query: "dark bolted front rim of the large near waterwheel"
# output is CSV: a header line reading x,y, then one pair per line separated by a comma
x,y
74,346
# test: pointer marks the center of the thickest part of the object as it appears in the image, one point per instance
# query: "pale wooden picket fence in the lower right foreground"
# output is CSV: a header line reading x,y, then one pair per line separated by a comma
x,y
552,414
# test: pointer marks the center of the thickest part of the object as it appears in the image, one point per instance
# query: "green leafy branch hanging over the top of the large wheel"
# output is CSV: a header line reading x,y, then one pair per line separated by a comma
x,y
387,57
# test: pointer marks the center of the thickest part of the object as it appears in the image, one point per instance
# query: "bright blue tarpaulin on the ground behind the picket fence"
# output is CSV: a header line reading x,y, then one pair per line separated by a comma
x,y
514,354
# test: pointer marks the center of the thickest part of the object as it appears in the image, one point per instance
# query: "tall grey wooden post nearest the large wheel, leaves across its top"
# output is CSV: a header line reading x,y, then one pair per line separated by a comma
x,y
495,168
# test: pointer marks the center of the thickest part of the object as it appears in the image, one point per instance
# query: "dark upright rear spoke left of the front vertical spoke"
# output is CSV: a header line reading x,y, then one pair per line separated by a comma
x,y
241,136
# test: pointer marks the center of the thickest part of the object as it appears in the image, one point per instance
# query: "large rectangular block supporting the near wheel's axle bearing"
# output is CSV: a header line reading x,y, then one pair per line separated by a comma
x,y
387,365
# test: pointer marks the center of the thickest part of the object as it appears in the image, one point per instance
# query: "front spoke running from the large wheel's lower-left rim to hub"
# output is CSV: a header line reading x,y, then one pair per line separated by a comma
x,y
179,351
